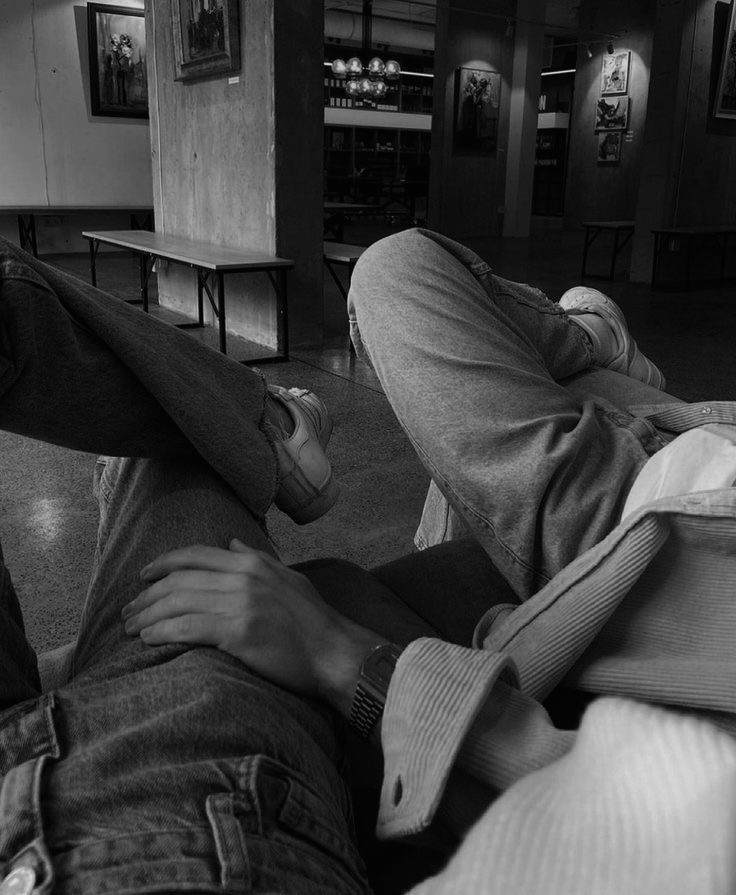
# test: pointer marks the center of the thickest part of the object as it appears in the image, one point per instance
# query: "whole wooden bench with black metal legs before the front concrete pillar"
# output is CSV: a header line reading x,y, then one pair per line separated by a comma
x,y
209,261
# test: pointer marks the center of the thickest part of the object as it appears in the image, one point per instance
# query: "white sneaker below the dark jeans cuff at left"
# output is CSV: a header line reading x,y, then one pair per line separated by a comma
x,y
307,488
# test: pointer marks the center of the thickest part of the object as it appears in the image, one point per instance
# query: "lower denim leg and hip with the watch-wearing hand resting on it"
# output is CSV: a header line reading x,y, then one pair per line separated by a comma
x,y
176,767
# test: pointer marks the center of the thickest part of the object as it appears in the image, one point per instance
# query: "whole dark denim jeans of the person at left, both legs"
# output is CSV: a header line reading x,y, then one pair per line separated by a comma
x,y
169,768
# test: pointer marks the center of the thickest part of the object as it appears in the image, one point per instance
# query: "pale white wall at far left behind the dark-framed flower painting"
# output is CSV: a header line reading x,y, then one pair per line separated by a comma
x,y
53,151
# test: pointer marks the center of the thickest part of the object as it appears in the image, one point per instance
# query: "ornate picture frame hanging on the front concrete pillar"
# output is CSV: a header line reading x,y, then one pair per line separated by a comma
x,y
206,38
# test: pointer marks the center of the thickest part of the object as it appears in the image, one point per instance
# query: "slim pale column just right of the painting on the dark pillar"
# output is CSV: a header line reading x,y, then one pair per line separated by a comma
x,y
524,110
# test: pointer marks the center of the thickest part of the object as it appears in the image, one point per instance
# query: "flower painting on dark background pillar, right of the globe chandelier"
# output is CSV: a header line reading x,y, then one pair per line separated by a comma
x,y
477,102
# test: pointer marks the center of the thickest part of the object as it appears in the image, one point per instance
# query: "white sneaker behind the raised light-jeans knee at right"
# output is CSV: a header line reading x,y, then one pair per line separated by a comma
x,y
626,357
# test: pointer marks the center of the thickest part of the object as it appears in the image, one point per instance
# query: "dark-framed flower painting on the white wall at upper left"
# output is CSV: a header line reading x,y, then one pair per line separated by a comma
x,y
118,81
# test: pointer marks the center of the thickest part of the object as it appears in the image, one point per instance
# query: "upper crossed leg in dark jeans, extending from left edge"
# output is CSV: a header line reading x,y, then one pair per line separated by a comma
x,y
84,370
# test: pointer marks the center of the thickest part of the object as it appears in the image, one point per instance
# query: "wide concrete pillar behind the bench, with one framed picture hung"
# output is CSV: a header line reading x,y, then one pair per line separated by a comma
x,y
237,160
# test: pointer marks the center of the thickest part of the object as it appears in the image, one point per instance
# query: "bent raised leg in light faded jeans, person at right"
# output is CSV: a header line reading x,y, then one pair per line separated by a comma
x,y
469,362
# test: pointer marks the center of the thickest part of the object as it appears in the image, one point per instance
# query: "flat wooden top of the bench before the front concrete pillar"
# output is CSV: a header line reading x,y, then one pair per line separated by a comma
x,y
188,251
